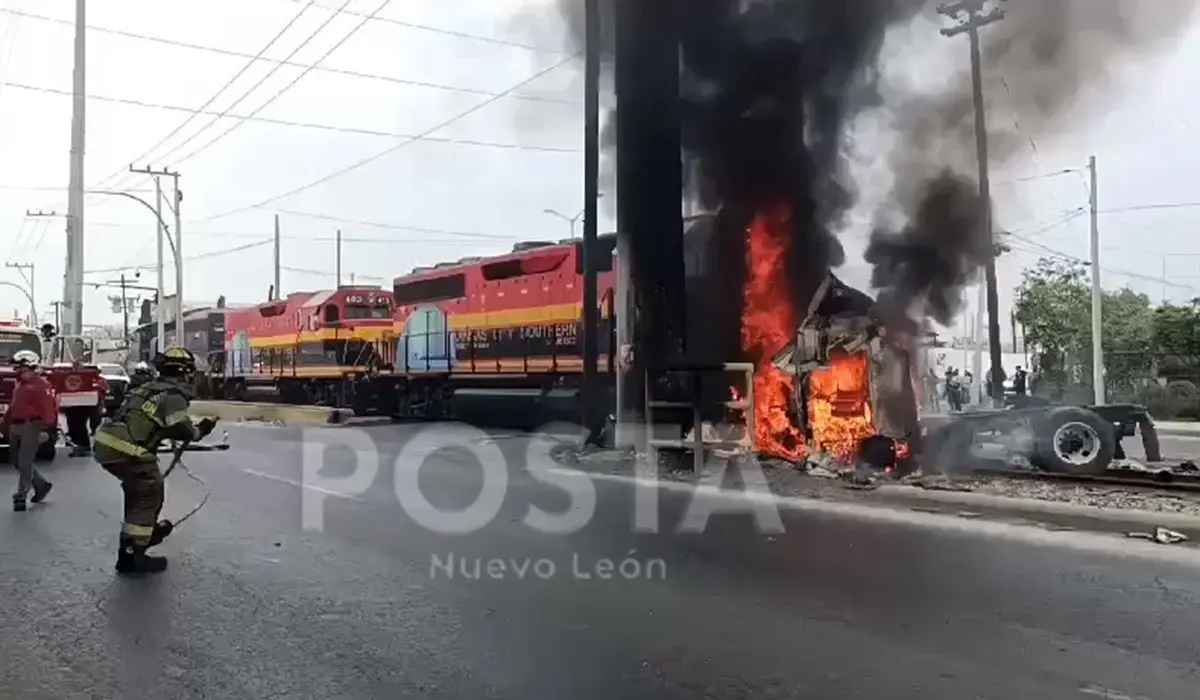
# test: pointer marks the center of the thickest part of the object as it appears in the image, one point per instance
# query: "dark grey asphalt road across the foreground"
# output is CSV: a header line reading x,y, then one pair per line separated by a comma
x,y
257,608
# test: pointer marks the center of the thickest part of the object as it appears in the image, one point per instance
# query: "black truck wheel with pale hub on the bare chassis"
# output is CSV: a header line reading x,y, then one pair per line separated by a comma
x,y
1070,440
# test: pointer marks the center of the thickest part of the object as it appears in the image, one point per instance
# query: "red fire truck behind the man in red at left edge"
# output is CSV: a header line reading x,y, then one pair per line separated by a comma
x,y
64,366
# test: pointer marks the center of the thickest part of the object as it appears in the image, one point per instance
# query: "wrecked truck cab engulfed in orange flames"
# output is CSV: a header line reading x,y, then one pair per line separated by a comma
x,y
832,381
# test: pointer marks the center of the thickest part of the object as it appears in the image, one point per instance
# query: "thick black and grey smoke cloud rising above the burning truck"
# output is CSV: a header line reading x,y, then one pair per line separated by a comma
x,y
771,89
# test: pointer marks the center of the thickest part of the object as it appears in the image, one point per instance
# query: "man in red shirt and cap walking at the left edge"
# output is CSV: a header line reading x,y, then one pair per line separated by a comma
x,y
32,412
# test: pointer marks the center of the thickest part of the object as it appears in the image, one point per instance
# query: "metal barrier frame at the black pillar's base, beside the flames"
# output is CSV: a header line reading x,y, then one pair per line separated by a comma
x,y
698,444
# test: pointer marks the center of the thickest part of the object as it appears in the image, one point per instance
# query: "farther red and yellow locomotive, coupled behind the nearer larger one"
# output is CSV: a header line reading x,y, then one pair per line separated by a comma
x,y
308,345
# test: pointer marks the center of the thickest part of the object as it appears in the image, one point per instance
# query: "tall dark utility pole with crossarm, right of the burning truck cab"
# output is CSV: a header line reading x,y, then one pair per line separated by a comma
x,y
976,20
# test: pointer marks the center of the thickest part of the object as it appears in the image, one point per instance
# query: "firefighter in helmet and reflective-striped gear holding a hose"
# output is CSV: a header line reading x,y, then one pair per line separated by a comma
x,y
127,446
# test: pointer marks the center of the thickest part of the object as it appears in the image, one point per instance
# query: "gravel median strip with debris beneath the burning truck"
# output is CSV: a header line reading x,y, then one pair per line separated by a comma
x,y
787,481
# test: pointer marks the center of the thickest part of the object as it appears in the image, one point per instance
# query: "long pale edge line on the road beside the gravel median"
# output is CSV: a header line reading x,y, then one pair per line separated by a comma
x,y
1088,542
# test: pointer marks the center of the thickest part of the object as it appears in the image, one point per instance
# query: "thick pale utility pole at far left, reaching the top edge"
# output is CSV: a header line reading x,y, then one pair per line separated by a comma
x,y
73,283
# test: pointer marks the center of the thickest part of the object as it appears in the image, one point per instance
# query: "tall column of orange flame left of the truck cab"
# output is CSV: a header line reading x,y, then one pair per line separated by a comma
x,y
769,325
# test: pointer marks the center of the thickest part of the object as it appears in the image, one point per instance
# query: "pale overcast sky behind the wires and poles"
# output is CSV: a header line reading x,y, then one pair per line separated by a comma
x,y
472,188
